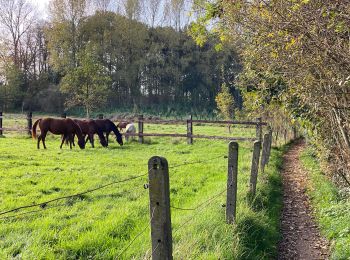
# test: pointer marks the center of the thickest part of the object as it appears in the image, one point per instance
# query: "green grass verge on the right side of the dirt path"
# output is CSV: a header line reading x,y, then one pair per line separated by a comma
x,y
332,209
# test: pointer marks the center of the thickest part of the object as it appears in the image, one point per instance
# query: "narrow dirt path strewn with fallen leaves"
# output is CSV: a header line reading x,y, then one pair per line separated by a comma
x,y
301,238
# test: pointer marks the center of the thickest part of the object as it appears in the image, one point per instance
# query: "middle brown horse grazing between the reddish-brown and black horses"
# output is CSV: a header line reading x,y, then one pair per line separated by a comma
x,y
89,128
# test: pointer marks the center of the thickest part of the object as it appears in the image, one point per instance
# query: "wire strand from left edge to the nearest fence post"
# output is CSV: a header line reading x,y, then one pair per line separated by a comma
x,y
44,204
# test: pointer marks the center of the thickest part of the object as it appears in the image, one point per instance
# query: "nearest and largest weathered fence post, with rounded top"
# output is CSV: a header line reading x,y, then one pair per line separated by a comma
x,y
159,195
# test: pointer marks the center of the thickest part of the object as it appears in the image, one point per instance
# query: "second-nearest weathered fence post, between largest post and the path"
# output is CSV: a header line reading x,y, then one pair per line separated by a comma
x,y
232,172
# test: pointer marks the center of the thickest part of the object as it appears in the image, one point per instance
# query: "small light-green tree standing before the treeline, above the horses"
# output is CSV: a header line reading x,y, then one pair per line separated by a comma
x,y
86,85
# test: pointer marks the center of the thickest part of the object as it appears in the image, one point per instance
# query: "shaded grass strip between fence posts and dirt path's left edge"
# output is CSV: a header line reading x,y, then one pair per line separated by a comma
x,y
259,229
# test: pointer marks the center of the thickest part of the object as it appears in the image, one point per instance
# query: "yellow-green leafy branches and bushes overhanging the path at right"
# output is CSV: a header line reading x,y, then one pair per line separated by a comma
x,y
292,61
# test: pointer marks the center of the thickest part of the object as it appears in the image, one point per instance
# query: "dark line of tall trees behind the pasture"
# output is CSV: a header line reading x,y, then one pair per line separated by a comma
x,y
106,60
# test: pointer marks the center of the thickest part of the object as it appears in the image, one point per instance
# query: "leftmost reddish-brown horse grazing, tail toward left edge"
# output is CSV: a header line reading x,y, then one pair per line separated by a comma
x,y
66,127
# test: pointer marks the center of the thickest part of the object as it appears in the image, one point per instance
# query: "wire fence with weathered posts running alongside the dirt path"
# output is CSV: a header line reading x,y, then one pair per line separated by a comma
x,y
160,217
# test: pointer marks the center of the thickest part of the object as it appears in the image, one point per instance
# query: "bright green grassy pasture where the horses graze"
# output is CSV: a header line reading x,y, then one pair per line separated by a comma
x,y
101,225
